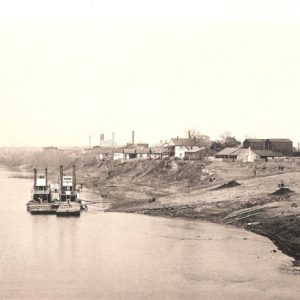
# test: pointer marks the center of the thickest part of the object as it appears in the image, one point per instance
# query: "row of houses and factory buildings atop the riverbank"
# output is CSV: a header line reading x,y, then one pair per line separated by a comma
x,y
189,149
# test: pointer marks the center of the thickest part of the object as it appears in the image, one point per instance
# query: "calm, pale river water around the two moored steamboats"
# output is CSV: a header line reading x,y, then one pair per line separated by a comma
x,y
125,256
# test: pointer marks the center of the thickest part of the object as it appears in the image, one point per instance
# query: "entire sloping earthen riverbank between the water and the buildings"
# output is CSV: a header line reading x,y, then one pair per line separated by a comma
x,y
190,189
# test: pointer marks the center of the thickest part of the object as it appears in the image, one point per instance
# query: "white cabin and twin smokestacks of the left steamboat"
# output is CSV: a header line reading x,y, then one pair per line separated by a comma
x,y
41,189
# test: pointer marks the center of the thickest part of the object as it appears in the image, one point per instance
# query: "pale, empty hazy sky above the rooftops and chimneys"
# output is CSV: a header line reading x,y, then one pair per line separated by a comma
x,y
70,69
